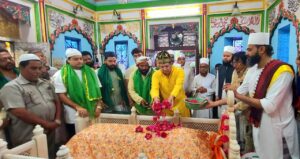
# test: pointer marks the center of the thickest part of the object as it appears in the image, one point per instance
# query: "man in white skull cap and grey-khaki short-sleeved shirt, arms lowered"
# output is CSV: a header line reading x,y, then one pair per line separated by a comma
x,y
29,101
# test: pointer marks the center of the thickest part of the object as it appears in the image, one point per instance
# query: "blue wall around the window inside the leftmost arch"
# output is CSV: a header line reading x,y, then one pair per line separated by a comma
x,y
59,46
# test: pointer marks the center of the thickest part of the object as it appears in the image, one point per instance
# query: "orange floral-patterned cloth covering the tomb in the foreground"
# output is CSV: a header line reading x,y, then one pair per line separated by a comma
x,y
118,141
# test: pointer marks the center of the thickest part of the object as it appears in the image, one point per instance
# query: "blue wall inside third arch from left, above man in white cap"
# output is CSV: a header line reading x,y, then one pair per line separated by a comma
x,y
217,50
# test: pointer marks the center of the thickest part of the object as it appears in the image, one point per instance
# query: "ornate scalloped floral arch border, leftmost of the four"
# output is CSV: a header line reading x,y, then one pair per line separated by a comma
x,y
73,26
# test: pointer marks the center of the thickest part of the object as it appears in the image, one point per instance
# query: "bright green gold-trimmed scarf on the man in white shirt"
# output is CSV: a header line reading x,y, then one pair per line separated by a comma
x,y
85,93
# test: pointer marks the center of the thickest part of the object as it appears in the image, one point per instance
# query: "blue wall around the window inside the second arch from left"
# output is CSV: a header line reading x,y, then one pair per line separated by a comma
x,y
110,46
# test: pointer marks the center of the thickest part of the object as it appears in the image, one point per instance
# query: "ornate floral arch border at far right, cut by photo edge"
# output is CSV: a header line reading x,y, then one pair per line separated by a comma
x,y
284,14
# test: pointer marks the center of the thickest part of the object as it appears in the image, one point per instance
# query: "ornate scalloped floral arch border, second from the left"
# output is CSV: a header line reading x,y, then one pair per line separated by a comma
x,y
119,30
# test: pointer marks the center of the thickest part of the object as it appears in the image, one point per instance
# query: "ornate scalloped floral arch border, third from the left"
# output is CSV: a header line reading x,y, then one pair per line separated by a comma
x,y
234,24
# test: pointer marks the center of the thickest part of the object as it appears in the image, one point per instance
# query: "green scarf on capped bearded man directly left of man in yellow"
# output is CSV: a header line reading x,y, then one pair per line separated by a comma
x,y
142,87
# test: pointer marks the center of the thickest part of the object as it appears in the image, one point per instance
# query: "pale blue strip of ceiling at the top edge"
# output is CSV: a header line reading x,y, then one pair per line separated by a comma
x,y
113,2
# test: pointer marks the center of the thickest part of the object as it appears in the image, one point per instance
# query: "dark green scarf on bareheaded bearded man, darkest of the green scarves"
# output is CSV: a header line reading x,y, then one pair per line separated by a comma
x,y
107,87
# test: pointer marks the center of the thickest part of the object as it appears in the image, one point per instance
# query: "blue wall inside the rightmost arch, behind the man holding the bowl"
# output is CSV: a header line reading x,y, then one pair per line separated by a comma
x,y
292,43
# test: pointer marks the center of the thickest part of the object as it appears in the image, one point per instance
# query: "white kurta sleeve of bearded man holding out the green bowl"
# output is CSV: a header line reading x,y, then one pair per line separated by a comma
x,y
277,93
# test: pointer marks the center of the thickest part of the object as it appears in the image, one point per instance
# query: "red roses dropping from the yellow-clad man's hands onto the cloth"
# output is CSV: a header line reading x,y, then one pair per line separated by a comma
x,y
161,126
